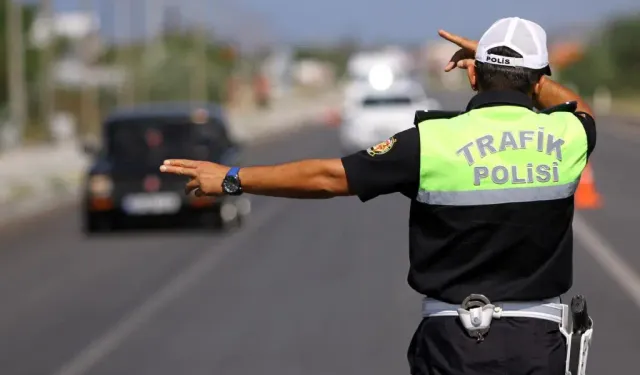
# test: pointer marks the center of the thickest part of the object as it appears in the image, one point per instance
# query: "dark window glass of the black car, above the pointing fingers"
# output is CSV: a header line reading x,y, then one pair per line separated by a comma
x,y
142,144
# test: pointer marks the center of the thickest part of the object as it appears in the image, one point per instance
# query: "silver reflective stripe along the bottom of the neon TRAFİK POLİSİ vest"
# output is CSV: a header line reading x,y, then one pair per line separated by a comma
x,y
509,195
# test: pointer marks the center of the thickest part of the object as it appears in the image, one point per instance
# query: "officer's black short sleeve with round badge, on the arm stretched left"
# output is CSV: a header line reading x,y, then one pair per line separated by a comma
x,y
386,169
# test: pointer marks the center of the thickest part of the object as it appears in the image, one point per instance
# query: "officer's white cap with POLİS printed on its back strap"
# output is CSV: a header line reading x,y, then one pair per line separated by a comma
x,y
525,37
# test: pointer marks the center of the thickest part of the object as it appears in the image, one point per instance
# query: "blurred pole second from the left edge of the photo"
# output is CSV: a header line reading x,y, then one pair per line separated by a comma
x,y
47,88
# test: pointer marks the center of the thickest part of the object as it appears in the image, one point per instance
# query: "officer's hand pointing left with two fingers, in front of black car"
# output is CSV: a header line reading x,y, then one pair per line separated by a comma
x,y
206,177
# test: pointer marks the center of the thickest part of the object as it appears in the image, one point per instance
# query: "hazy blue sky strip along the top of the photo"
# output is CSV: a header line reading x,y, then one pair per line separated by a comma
x,y
369,20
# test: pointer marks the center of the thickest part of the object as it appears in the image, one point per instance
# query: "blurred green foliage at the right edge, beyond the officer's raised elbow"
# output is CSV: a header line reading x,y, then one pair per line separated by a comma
x,y
612,59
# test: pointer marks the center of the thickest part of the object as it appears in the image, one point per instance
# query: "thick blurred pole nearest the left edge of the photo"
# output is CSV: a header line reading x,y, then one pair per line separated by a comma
x,y
15,67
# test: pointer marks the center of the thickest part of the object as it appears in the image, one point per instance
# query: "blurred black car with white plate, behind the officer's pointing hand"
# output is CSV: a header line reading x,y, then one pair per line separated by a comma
x,y
123,186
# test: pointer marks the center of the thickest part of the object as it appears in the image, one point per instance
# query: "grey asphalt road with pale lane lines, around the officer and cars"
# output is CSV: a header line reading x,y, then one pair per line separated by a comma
x,y
307,287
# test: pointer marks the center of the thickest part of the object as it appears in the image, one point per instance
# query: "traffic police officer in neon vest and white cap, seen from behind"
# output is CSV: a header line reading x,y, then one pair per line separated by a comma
x,y
491,213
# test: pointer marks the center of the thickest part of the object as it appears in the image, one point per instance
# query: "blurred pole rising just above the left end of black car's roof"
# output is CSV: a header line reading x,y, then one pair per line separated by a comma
x,y
123,19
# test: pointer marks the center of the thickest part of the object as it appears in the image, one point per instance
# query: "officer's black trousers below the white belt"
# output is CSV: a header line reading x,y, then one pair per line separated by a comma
x,y
513,346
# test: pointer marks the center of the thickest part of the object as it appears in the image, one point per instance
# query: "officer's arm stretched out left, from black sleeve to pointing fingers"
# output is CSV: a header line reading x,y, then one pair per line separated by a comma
x,y
392,166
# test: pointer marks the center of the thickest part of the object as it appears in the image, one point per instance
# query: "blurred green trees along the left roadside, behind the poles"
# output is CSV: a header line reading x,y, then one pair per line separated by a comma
x,y
163,72
